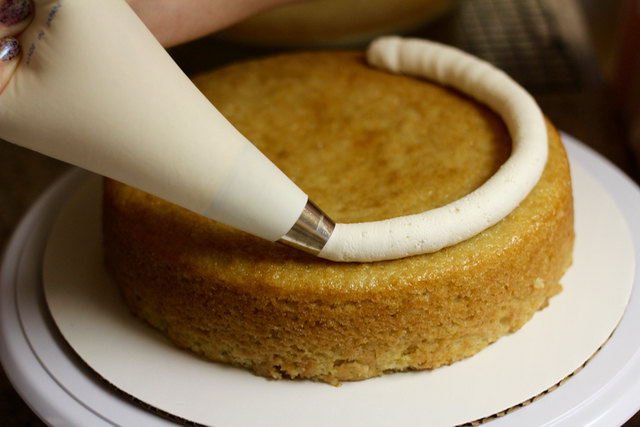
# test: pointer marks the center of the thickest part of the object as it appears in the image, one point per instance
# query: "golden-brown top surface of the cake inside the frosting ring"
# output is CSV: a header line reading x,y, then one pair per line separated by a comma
x,y
387,164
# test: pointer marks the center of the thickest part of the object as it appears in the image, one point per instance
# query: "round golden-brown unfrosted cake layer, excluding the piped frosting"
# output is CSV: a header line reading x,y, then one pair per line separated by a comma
x,y
365,145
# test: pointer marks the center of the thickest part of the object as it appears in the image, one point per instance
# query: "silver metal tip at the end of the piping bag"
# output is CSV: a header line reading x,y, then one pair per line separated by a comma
x,y
310,232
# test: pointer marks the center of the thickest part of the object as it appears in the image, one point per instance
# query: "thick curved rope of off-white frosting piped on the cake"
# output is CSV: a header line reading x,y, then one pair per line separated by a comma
x,y
462,219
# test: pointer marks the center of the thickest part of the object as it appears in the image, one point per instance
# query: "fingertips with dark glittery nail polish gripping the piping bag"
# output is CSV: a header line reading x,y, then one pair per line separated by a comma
x,y
15,16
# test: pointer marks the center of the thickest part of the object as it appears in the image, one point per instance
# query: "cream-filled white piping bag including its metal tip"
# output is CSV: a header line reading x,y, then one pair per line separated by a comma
x,y
95,89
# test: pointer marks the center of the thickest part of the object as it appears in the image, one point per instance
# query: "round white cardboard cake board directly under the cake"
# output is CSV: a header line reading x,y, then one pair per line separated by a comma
x,y
139,361
